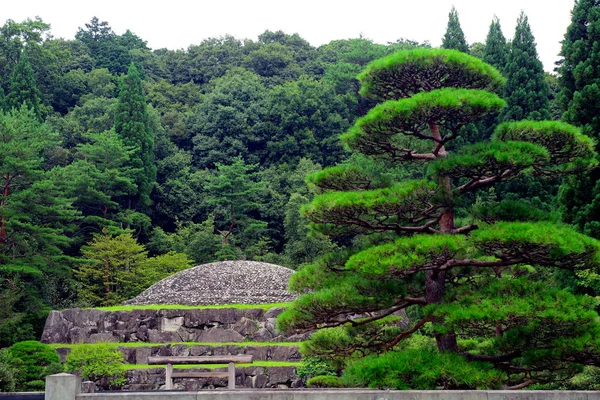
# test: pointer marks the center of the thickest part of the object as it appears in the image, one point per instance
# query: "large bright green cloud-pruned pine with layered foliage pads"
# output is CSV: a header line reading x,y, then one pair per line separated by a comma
x,y
473,287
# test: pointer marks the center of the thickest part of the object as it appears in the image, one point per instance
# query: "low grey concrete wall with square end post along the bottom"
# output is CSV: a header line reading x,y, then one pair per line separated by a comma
x,y
61,387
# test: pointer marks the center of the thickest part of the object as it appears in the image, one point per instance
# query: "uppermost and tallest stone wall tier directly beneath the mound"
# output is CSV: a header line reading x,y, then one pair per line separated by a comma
x,y
163,326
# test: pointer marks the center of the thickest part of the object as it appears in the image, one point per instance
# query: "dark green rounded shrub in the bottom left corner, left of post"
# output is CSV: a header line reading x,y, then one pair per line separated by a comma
x,y
33,361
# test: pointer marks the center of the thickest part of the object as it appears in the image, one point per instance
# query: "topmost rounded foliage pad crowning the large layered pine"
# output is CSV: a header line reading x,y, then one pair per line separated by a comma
x,y
391,77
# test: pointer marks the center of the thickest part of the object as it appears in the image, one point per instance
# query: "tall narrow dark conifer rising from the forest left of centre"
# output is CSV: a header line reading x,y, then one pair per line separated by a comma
x,y
131,123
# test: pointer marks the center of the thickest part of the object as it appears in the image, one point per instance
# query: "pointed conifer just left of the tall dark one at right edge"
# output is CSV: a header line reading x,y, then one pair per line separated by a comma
x,y
526,91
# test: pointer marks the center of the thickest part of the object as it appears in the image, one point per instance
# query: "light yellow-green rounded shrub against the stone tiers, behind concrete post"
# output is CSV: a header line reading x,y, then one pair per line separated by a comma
x,y
101,363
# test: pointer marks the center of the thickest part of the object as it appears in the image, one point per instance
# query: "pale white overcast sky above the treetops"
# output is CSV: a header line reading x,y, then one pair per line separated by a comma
x,y
176,24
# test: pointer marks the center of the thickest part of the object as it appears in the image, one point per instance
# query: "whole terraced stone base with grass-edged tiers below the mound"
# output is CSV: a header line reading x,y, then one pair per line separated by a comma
x,y
181,332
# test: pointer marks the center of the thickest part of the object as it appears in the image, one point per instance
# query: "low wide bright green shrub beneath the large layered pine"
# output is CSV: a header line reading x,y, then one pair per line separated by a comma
x,y
421,369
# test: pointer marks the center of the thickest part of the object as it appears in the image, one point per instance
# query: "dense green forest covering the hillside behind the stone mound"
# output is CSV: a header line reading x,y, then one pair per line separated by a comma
x,y
121,164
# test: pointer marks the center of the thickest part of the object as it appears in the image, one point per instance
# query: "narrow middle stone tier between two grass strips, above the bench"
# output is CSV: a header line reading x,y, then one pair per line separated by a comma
x,y
140,354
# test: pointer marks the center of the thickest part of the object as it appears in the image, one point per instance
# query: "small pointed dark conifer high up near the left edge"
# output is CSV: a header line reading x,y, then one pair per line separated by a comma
x,y
23,88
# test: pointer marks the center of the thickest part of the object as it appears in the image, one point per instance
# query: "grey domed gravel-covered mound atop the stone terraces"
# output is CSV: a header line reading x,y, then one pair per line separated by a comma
x,y
226,282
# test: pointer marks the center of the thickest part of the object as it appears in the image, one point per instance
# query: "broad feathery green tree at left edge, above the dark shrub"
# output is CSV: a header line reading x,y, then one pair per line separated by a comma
x,y
36,219
